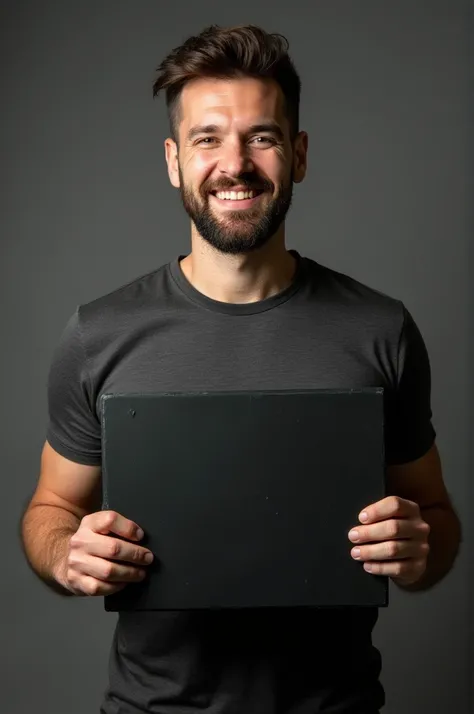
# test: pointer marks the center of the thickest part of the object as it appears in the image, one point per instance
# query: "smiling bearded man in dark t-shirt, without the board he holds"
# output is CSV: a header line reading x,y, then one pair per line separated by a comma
x,y
239,312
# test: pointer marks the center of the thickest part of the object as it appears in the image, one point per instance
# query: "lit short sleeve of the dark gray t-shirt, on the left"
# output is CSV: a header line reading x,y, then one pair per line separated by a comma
x,y
73,428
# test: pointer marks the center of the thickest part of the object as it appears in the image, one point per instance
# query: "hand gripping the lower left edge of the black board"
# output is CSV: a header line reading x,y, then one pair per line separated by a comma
x,y
97,563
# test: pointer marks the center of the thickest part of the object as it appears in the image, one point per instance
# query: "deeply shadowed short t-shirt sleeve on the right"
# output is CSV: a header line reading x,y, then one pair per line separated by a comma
x,y
408,419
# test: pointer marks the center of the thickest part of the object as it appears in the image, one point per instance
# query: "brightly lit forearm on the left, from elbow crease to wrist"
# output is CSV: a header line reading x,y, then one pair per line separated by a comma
x,y
45,533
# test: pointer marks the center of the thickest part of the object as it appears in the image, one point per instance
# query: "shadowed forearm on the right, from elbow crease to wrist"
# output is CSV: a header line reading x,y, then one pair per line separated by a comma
x,y
444,539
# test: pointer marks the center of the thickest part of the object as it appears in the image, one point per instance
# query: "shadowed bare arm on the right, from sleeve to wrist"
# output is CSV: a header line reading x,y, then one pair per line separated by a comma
x,y
422,481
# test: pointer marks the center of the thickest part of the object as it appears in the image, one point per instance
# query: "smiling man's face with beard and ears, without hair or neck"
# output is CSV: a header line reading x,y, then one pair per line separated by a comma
x,y
236,164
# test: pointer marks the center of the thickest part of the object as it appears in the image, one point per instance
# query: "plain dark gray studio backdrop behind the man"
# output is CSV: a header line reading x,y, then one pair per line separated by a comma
x,y
86,206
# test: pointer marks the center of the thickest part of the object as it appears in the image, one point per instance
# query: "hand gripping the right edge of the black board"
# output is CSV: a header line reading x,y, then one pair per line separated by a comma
x,y
398,539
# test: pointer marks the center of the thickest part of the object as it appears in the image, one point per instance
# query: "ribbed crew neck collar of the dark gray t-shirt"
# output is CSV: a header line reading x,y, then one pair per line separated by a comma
x,y
231,308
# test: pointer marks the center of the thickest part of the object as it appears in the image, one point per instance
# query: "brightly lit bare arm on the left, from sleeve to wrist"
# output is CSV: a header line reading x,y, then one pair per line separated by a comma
x,y
65,493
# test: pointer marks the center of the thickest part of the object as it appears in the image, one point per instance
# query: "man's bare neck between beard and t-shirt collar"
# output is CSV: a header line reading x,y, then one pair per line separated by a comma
x,y
239,278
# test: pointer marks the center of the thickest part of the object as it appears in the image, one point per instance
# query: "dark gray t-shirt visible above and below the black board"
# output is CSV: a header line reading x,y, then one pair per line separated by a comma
x,y
158,333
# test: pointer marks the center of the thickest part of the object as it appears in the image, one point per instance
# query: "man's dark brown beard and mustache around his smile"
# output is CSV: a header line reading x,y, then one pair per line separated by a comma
x,y
240,231
